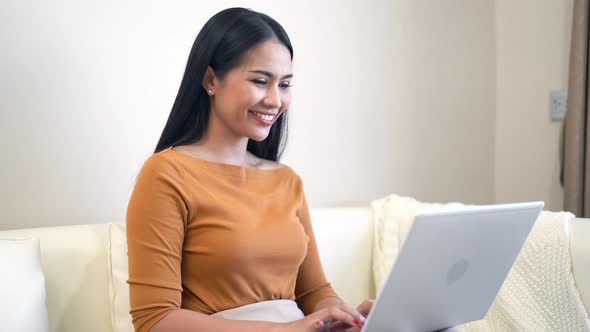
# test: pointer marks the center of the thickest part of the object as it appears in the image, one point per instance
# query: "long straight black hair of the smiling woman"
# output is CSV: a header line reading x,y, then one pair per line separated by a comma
x,y
222,42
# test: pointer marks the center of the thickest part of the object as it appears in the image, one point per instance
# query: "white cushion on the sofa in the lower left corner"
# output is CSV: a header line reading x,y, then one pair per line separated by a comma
x,y
22,286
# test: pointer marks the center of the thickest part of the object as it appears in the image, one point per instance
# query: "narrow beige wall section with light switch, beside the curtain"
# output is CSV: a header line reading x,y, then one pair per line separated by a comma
x,y
532,51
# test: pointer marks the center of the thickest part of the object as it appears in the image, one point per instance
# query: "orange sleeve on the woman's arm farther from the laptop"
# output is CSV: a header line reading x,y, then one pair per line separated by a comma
x,y
156,220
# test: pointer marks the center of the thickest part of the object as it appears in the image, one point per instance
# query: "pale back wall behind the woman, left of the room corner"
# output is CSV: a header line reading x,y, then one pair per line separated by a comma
x,y
390,96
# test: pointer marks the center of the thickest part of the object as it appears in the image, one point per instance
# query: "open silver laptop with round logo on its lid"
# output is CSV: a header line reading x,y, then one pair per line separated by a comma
x,y
451,267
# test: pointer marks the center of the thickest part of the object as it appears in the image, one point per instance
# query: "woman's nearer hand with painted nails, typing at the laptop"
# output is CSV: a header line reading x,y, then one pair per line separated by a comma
x,y
337,317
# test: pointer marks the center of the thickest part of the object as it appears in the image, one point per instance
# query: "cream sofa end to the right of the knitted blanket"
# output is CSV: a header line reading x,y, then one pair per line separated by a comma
x,y
580,255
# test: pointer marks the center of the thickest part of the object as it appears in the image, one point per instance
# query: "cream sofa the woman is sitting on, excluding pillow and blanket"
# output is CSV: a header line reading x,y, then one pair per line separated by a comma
x,y
85,265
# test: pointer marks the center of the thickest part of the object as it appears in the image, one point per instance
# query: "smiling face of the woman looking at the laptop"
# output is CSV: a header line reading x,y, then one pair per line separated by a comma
x,y
252,96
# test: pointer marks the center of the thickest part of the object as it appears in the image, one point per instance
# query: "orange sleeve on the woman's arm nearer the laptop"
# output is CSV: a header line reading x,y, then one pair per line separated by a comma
x,y
311,285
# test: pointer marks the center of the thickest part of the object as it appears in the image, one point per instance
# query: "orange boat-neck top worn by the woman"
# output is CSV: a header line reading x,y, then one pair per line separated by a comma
x,y
208,236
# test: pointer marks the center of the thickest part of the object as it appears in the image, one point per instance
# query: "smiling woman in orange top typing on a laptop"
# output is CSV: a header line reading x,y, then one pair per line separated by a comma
x,y
219,234
